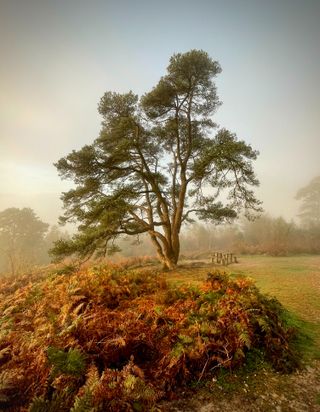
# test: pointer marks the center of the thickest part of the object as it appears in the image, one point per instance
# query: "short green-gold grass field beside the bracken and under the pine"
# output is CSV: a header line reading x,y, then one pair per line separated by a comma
x,y
294,281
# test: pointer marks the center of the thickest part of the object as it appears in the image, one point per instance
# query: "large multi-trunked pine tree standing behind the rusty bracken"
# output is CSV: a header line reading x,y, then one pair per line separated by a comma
x,y
159,161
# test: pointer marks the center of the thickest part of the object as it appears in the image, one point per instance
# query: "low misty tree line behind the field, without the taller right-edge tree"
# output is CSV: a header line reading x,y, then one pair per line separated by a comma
x,y
266,235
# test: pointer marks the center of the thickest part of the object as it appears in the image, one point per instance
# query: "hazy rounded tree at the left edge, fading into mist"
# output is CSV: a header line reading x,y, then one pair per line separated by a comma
x,y
21,237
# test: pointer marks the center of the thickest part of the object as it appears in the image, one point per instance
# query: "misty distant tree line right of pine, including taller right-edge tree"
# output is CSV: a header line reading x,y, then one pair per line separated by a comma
x,y
269,235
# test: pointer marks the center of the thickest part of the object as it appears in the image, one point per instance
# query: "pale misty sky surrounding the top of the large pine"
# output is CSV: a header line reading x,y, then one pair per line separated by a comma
x,y
58,58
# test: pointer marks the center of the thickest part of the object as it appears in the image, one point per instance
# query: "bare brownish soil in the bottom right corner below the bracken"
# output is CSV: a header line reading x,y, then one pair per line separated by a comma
x,y
263,391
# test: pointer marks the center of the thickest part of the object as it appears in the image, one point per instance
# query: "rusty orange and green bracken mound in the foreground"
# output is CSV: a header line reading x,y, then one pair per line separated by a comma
x,y
112,339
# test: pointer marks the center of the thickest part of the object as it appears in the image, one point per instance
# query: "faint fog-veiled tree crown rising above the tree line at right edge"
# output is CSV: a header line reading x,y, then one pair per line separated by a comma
x,y
310,207
